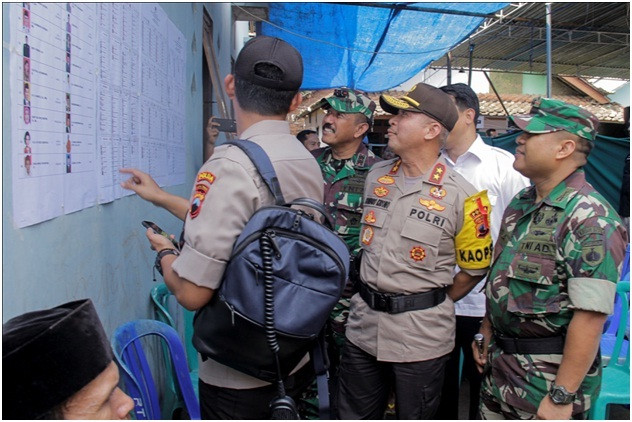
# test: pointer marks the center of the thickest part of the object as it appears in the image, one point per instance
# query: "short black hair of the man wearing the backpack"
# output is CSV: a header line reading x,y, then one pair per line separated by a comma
x,y
262,100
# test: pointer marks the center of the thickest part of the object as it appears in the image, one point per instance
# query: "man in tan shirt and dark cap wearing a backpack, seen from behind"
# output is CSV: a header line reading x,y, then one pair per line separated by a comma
x,y
228,190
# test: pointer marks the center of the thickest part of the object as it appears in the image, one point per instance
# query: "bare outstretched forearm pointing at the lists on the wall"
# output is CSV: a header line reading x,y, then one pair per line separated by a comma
x,y
147,188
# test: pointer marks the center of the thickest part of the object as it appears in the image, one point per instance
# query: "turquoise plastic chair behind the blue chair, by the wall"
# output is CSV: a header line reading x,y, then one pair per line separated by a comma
x,y
160,295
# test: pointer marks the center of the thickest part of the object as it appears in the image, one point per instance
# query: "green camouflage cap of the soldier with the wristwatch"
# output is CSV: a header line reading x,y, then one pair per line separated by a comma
x,y
548,115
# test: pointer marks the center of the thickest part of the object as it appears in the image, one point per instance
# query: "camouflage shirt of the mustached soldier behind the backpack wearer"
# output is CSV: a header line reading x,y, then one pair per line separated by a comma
x,y
344,190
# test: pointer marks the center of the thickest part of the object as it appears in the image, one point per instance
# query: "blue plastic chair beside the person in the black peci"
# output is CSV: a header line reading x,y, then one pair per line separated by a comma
x,y
138,378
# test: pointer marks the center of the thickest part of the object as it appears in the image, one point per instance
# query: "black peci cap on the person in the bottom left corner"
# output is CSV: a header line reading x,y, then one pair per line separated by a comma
x,y
49,355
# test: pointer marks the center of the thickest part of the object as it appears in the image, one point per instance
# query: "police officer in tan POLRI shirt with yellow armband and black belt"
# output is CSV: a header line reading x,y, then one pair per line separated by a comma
x,y
420,219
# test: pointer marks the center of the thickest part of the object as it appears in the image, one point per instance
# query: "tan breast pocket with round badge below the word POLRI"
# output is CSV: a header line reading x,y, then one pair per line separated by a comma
x,y
419,247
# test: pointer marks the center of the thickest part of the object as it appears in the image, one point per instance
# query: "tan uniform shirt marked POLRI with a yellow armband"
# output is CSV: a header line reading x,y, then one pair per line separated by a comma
x,y
412,237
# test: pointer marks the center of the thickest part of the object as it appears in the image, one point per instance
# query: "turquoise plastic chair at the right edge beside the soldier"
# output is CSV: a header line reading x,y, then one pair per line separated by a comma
x,y
615,382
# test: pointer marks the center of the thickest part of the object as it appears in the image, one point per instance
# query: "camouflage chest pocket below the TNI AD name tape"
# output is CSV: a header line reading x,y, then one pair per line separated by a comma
x,y
533,287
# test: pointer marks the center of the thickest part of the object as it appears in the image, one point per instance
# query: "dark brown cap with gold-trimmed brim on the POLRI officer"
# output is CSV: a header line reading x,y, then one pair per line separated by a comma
x,y
426,99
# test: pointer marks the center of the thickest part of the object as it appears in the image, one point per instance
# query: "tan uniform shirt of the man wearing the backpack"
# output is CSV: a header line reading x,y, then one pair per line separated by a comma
x,y
228,190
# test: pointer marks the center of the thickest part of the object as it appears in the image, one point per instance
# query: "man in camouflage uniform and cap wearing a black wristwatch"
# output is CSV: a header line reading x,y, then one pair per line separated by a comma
x,y
553,279
